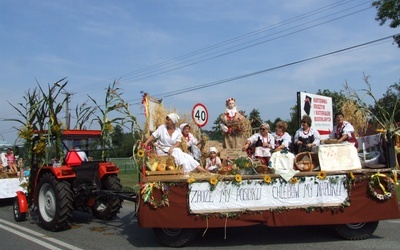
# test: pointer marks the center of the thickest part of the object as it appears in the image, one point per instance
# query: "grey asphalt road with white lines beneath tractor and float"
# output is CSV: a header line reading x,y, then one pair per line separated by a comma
x,y
86,232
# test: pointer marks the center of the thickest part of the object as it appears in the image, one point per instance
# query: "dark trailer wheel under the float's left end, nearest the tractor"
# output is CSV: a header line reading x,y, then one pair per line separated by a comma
x,y
174,237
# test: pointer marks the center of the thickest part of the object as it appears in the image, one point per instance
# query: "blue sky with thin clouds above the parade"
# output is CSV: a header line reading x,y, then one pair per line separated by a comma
x,y
162,46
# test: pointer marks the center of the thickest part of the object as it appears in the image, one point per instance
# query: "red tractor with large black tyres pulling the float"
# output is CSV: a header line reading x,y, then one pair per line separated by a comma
x,y
83,181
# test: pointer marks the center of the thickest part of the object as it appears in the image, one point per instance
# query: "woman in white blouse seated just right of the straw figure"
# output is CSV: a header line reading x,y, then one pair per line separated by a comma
x,y
260,144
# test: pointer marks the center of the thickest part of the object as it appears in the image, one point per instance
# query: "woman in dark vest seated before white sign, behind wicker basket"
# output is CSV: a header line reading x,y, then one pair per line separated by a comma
x,y
306,137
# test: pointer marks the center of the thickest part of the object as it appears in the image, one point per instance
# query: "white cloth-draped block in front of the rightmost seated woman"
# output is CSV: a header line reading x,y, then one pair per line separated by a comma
x,y
334,157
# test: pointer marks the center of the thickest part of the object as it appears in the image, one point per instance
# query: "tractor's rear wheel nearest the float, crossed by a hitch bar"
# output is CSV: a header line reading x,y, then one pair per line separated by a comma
x,y
107,206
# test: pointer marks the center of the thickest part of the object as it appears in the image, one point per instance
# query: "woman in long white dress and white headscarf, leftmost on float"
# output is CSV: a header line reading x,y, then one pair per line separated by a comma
x,y
168,143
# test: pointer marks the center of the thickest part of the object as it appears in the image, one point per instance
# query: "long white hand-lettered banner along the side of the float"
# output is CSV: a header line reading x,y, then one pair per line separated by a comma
x,y
255,195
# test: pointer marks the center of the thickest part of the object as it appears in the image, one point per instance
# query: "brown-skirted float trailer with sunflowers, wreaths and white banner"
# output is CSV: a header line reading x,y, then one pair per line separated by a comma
x,y
337,190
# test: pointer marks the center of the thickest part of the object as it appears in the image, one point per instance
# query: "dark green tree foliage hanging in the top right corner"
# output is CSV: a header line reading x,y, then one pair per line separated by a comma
x,y
388,10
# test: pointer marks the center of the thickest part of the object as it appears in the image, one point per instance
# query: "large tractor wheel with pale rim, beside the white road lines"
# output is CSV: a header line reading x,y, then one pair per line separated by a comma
x,y
54,200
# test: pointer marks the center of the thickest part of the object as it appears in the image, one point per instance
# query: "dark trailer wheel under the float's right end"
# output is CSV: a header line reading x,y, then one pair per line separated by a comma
x,y
356,231
